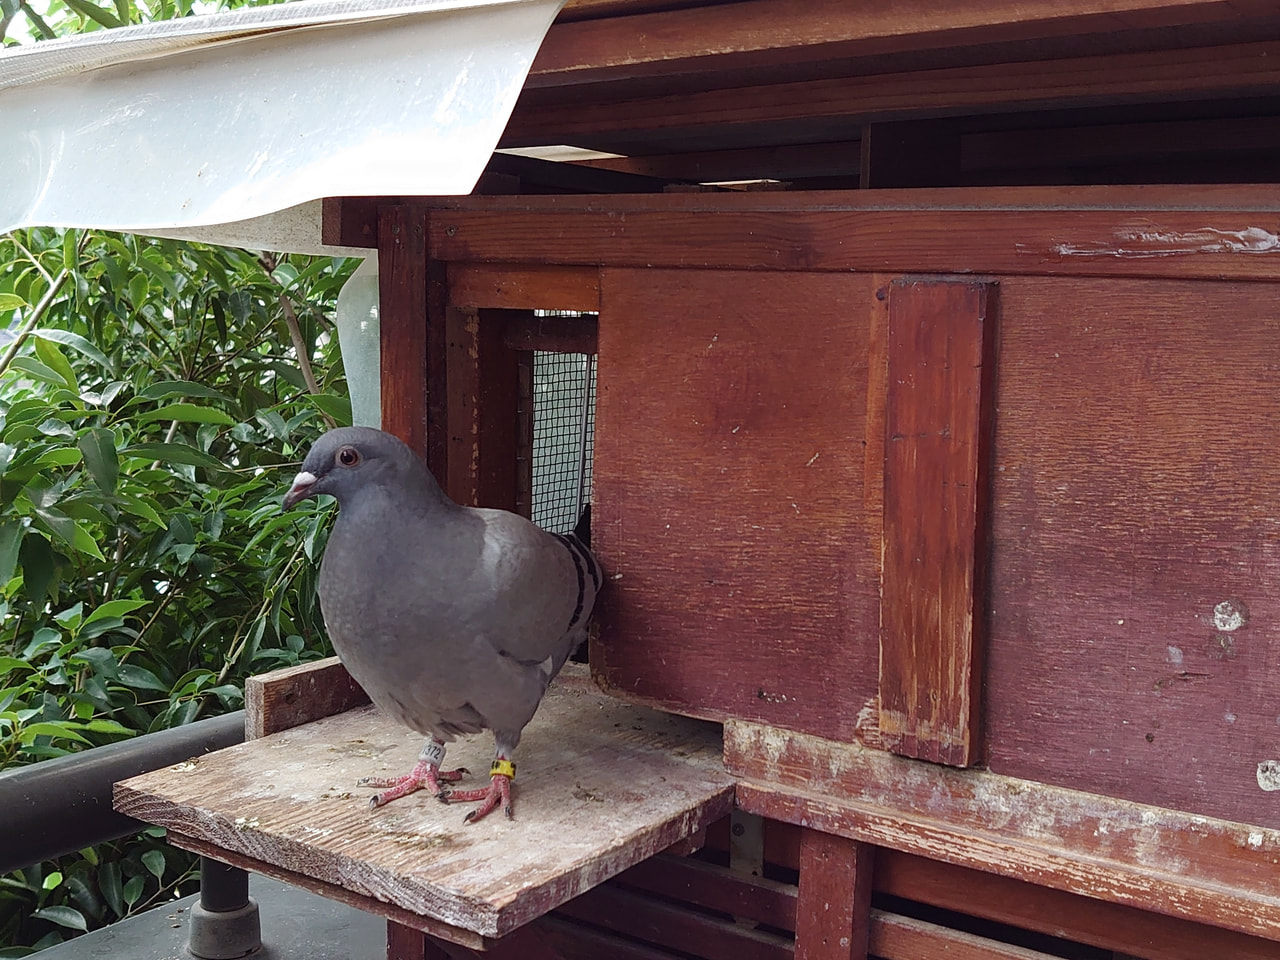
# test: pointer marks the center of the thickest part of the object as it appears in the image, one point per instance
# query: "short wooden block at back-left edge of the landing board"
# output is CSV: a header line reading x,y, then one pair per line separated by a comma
x,y
295,696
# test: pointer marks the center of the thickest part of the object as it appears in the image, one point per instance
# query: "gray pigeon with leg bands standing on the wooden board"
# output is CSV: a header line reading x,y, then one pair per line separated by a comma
x,y
452,619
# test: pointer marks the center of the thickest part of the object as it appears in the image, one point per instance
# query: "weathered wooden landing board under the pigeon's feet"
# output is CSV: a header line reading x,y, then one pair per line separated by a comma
x,y
602,787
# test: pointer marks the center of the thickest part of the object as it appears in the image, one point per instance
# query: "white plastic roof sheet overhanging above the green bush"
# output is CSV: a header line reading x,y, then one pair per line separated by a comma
x,y
230,117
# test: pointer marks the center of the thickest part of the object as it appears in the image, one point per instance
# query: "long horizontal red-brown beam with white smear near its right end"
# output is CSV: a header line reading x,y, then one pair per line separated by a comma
x,y
1206,245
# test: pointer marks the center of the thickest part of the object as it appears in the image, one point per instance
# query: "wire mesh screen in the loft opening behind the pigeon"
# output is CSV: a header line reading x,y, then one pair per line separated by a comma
x,y
564,438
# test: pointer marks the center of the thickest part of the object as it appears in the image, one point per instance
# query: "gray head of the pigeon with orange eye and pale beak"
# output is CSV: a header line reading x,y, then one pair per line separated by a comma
x,y
351,459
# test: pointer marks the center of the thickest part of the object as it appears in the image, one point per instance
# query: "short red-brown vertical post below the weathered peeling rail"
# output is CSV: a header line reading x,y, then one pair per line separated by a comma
x,y
835,899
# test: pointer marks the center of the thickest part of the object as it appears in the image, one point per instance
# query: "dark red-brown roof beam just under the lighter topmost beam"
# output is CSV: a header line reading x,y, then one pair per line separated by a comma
x,y
732,116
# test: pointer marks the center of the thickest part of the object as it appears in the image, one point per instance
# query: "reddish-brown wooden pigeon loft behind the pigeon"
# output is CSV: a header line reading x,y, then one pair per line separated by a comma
x,y
957,506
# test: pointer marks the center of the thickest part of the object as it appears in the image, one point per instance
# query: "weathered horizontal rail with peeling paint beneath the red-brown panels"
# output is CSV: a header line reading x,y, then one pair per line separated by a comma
x,y
1156,860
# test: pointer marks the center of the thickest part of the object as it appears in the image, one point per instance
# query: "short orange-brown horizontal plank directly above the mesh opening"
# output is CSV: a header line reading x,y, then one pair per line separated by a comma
x,y
524,287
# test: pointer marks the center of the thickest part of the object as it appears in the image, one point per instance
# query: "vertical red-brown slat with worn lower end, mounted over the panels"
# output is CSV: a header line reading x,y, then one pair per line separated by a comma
x,y
938,423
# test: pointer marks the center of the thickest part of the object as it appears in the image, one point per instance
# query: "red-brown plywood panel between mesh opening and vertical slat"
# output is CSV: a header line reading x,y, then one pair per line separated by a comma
x,y
730,496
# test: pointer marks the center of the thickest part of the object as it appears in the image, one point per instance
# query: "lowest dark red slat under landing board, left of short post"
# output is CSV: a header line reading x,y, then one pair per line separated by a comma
x,y
675,927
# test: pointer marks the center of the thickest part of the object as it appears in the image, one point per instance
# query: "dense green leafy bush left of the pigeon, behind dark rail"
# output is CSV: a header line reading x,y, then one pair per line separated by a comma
x,y
152,412
